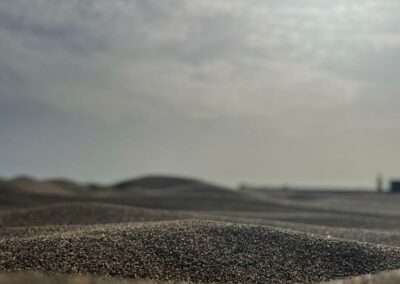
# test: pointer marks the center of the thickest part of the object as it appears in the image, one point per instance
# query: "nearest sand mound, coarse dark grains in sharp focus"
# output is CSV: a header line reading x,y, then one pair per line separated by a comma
x,y
203,251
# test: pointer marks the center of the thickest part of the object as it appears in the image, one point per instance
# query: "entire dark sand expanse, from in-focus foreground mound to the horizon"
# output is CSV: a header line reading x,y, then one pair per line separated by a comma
x,y
193,231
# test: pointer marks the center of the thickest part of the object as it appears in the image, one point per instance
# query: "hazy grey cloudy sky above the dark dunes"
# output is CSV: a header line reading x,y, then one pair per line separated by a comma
x,y
299,92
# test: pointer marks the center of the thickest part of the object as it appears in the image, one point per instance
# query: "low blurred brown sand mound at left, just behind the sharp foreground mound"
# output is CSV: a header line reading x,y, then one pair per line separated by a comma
x,y
84,213
